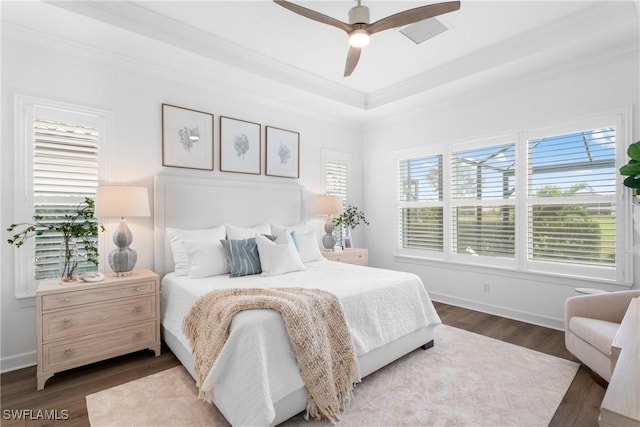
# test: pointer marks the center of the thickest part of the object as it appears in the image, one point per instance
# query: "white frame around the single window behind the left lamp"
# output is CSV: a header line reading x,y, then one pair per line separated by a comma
x,y
26,108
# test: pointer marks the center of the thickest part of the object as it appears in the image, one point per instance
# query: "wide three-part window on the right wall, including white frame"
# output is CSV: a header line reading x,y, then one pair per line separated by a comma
x,y
544,200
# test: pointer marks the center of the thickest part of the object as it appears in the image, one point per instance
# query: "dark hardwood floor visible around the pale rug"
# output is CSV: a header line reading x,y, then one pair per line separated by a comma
x,y
67,390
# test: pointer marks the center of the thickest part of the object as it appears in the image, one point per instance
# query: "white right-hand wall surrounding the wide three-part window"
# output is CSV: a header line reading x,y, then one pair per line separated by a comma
x,y
500,108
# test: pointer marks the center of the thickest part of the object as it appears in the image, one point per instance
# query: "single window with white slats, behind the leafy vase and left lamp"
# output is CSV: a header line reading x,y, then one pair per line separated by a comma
x,y
58,164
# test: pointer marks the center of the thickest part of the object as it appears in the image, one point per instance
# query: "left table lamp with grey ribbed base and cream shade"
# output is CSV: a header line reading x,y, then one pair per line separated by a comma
x,y
122,201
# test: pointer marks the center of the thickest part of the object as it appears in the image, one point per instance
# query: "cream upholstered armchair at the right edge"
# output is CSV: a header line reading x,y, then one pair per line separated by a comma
x,y
591,323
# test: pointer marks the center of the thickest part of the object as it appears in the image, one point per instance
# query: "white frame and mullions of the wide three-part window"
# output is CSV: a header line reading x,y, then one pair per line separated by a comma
x,y
620,274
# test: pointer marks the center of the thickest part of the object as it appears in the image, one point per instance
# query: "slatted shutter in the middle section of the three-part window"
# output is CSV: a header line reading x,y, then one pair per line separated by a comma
x,y
483,201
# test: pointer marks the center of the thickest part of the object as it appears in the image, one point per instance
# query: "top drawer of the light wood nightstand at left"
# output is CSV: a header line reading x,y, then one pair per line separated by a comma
x,y
73,298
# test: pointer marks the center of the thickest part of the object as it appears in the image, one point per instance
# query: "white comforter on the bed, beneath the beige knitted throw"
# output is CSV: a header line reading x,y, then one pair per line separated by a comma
x,y
257,366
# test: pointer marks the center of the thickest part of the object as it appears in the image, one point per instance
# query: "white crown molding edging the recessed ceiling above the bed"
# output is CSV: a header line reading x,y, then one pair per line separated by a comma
x,y
140,20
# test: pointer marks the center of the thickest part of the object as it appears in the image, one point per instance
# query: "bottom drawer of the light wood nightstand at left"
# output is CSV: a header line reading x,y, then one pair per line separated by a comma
x,y
75,353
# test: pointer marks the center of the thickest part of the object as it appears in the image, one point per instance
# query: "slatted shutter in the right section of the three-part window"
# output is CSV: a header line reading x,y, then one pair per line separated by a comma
x,y
572,187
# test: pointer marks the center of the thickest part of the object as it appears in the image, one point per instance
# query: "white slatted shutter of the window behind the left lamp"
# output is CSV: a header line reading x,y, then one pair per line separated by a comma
x,y
65,171
